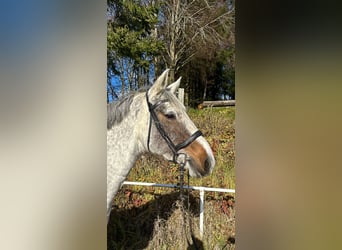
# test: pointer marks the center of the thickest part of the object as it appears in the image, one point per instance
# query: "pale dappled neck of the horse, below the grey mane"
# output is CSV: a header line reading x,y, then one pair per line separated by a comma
x,y
125,142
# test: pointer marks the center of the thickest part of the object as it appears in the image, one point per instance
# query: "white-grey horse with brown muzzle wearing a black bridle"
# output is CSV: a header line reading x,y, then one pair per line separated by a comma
x,y
152,121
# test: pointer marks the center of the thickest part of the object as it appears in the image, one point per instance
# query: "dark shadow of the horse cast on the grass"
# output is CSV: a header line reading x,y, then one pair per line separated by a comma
x,y
132,228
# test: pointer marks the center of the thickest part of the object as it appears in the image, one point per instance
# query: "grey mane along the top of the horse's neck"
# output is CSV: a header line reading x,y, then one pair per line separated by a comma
x,y
117,111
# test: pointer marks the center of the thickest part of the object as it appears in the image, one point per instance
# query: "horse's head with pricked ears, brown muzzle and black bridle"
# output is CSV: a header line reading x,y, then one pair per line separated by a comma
x,y
171,131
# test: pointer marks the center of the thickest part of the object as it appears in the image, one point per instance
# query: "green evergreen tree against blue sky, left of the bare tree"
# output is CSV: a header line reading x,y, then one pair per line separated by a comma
x,y
130,46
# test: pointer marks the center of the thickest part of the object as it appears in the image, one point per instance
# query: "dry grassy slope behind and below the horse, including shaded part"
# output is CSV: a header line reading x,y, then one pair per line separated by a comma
x,y
151,218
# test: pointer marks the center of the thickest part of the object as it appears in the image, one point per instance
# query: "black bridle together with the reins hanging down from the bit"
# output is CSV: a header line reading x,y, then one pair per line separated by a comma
x,y
178,158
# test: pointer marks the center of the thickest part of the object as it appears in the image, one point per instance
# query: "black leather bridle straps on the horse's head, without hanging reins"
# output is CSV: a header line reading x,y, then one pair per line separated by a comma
x,y
174,148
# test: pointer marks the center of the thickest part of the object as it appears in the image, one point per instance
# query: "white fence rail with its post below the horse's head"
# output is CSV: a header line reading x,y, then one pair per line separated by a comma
x,y
200,189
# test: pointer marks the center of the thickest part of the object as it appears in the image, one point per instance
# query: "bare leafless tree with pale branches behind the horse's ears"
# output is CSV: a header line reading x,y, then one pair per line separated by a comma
x,y
186,26
